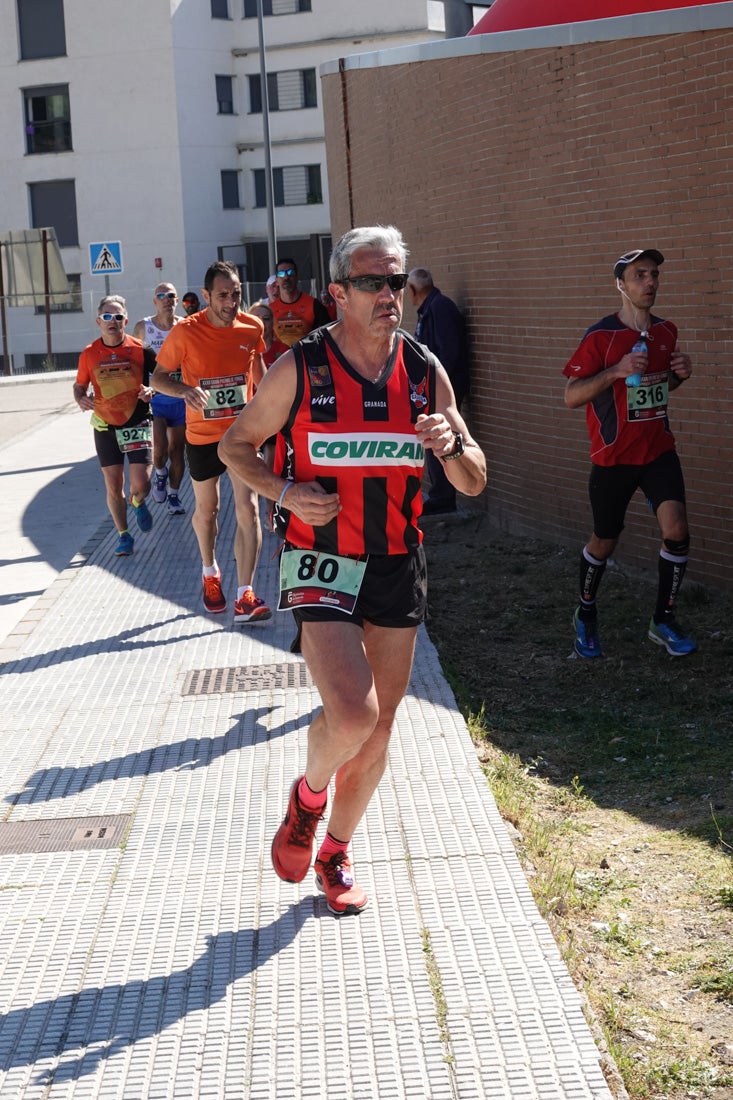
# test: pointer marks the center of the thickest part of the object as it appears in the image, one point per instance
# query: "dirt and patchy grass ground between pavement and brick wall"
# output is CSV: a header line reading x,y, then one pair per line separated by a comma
x,y
617,778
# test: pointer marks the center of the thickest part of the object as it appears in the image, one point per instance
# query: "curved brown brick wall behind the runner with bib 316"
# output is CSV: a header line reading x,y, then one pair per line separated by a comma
x,y
519,179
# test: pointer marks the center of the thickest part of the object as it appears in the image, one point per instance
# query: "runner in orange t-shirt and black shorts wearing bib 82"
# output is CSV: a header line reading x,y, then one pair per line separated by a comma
x,y
218,353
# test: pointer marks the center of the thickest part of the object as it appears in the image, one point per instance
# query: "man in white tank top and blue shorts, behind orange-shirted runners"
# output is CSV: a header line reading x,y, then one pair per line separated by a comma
x,y
169,413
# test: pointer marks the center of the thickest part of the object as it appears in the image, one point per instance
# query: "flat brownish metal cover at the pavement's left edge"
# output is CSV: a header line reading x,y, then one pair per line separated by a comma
x,y
63,834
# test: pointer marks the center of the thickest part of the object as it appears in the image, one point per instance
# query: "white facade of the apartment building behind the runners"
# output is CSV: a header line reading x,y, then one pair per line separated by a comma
x,y
149,146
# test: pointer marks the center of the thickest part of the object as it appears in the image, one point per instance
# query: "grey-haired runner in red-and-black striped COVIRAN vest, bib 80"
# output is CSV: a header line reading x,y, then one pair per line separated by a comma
x,y
356,406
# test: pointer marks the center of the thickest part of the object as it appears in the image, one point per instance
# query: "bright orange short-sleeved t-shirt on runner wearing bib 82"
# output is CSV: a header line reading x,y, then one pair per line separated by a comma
x,y
221,361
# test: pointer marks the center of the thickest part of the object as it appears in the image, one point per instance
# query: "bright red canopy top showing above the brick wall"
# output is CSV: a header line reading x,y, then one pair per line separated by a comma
x,y
515,15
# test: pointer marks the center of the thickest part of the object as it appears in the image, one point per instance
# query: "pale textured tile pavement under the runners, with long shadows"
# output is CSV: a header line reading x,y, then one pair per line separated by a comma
x,y
148,949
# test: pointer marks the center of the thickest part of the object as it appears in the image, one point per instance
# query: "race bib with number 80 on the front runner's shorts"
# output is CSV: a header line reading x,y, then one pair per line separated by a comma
x,y
314,579
